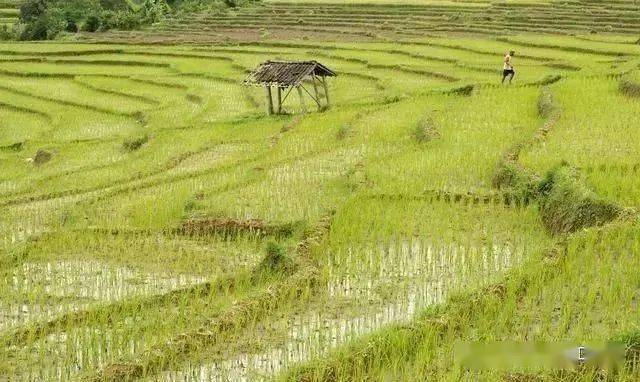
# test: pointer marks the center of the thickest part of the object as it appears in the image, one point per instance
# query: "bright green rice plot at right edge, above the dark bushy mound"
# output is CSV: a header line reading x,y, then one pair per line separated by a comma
x,y
608,162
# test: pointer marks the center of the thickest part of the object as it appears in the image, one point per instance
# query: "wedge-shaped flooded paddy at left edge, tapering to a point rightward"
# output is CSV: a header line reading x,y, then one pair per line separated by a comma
x,y
41,291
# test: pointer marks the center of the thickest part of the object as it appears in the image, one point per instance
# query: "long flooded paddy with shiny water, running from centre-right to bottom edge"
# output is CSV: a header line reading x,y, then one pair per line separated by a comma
x,y
419,274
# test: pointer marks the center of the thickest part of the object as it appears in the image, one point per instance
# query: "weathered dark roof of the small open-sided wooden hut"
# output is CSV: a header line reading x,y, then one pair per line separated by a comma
x,y
286,73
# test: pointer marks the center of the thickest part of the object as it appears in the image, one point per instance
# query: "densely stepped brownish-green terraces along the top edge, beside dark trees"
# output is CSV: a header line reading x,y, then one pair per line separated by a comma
x,y
385,19
